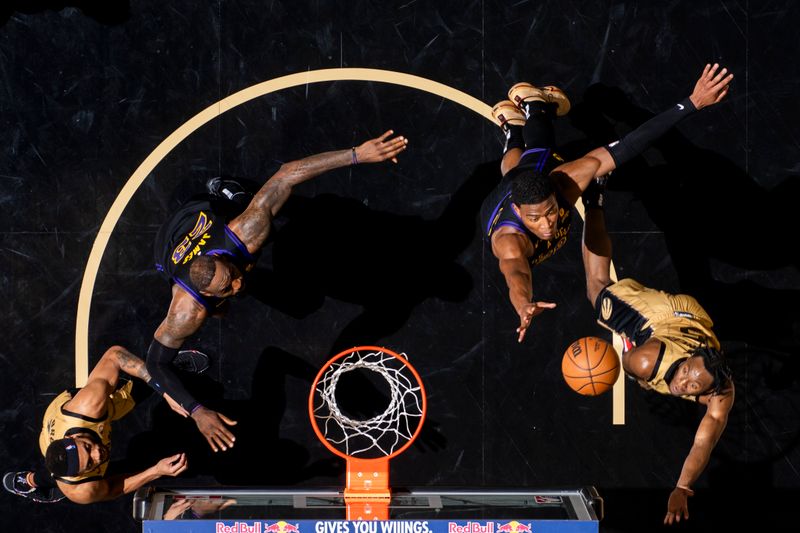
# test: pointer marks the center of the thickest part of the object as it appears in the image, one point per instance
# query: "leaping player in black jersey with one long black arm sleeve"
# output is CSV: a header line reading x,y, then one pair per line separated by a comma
x,y
529,214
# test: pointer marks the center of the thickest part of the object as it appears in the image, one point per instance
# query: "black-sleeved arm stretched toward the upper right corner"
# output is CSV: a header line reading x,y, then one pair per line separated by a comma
x,y
710,88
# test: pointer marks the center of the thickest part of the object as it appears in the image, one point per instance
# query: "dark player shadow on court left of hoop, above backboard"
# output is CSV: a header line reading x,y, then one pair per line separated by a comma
x,y
260,455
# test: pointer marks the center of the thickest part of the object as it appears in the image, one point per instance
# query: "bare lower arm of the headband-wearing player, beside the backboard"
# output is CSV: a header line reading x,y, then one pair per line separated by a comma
x,y
113,487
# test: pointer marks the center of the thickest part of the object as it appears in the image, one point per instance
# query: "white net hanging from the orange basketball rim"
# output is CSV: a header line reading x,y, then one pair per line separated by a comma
x,y
380,435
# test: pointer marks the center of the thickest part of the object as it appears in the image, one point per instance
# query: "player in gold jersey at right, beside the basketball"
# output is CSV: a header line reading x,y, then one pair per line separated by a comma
x,y
674,350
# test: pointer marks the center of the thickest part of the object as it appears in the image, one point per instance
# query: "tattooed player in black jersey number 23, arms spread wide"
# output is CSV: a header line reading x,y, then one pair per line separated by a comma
x,y
206,256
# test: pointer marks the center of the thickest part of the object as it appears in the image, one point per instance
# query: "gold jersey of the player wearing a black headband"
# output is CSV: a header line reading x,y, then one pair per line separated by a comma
x,y
59,423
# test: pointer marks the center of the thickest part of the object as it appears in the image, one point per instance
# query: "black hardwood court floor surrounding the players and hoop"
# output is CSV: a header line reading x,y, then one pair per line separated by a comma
x,y
393,254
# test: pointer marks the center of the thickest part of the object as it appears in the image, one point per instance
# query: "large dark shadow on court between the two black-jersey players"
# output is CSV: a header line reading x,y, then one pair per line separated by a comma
x,y
333,247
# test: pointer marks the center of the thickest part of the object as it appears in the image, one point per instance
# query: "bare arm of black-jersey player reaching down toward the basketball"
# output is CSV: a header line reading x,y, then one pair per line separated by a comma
x,y
510,250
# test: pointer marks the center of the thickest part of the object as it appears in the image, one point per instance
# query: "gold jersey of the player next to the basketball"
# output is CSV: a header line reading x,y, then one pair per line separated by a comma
x,y
632,310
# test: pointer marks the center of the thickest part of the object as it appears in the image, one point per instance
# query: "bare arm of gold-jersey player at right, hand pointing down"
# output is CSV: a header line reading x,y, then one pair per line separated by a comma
x,y
708,433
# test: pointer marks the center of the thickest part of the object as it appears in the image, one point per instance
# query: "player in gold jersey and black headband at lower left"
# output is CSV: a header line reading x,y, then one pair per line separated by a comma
x,y
76,439
